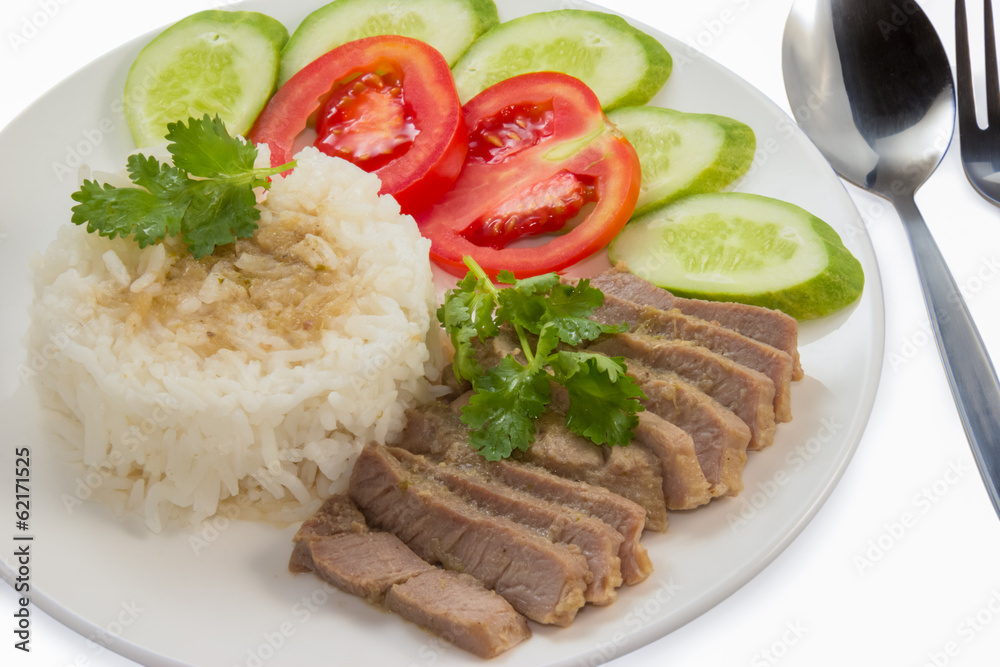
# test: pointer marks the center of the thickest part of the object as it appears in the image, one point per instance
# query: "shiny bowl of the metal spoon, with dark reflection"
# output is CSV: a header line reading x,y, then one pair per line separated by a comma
x,y
870,84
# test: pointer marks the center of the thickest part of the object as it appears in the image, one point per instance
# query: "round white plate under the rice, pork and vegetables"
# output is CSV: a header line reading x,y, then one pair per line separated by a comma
x,y
222,595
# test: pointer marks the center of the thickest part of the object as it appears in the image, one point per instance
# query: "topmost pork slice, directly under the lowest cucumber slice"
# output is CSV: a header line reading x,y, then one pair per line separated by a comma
x,y
772,327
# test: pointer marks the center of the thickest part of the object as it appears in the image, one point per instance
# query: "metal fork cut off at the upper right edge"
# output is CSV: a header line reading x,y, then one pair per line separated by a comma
x,y
980,146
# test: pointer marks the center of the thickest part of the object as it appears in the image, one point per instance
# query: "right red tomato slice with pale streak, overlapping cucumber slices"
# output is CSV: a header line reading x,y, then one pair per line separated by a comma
x,y
547,182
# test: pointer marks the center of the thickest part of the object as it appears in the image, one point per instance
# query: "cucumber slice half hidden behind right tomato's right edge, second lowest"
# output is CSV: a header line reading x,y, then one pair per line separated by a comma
x,y
684,153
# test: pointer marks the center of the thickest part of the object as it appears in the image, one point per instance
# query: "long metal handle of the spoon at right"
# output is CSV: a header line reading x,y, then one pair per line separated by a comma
x,y
966,362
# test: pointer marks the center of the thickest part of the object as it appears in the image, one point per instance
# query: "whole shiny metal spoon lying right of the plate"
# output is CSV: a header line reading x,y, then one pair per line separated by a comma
x,y
869,82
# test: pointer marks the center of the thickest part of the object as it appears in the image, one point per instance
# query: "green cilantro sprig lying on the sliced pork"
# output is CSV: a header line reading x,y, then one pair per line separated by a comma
x,y
550,318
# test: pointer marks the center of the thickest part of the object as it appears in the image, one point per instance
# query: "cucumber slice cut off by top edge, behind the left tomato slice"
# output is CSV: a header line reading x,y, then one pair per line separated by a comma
x,y
450,26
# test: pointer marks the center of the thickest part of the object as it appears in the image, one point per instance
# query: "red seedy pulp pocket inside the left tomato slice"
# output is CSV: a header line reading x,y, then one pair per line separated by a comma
x,y
366,120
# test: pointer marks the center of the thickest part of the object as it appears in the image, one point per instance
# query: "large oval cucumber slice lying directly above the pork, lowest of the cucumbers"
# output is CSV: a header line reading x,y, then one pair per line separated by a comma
x,y
730,246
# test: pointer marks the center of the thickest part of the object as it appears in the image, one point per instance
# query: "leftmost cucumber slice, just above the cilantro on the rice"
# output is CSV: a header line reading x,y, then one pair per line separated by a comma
x,y
215,62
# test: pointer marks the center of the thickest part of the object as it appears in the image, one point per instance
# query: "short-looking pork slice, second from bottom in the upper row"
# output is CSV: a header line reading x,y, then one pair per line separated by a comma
x,y
684,483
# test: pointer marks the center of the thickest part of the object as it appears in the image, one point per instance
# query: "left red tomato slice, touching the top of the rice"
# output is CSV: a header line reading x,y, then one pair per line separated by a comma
x,y
386,103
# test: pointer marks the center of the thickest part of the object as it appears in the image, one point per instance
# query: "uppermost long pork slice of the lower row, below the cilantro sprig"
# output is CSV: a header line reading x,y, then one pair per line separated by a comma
x,y
434,429
